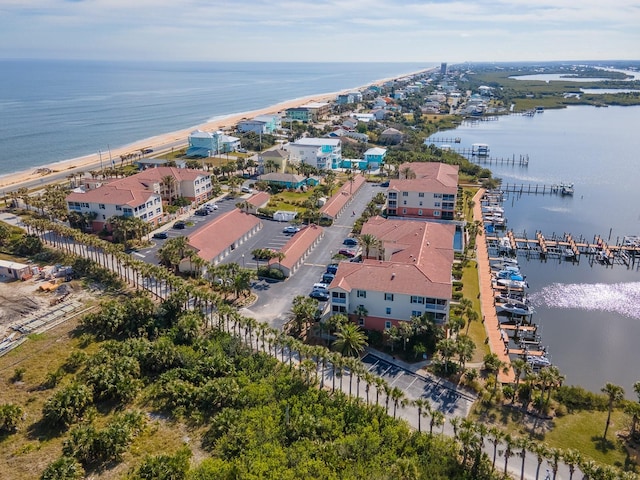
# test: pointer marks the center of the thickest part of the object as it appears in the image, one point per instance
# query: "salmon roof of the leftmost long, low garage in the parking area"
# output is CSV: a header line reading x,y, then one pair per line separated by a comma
x,y
214,237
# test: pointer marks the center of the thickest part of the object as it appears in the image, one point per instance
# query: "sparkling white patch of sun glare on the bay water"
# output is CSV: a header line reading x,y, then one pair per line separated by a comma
x,y
621,298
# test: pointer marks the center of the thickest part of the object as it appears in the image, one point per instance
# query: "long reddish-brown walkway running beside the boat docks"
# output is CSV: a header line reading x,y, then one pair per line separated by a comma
x,y
487,298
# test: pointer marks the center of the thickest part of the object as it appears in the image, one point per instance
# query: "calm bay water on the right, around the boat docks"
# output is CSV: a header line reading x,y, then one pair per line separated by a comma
x,y
589,314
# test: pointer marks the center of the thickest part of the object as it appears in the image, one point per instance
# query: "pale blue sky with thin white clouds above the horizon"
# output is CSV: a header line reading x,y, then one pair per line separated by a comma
x,y
321,30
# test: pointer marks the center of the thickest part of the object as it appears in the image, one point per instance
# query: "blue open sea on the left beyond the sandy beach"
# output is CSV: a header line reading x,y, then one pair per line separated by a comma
x,y
52,111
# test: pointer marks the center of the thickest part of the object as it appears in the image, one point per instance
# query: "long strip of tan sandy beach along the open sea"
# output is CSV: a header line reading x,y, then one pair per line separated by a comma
x,y
173,139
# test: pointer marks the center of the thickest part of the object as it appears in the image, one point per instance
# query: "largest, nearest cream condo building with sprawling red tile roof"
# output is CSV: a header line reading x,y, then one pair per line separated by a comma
x,y
409,274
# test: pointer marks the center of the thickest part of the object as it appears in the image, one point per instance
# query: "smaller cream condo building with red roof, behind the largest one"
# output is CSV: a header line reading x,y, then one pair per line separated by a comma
x,y
424,190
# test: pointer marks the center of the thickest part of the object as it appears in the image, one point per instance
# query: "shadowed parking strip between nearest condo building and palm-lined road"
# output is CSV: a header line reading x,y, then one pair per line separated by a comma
x,y
448,400
